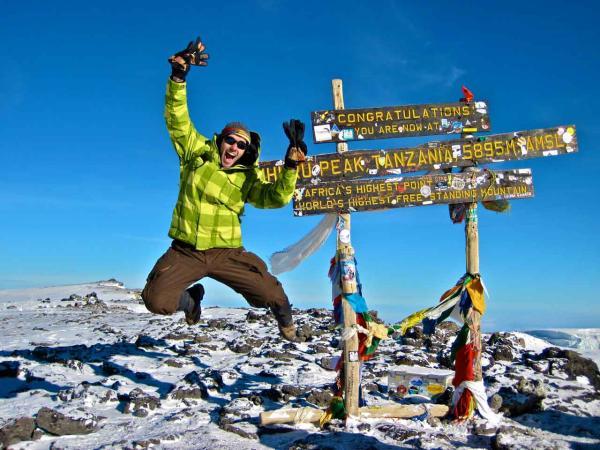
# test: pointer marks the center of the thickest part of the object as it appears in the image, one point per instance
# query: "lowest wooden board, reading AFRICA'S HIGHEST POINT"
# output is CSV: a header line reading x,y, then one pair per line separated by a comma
x,y
365,195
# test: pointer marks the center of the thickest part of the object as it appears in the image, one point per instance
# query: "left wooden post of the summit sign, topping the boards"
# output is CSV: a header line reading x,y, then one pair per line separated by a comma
x,y
345,253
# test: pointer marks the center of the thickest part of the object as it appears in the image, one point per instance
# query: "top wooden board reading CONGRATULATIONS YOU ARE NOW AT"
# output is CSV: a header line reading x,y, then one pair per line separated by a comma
x,y
399,121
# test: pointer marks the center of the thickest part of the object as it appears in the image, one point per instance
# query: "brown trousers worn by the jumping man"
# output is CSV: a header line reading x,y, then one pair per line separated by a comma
x,y
242,271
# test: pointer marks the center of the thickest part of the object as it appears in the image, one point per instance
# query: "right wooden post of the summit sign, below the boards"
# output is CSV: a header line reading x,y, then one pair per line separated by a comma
x,y
472,256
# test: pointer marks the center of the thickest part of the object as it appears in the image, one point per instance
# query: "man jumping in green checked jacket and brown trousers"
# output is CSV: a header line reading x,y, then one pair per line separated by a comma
x,y
218,177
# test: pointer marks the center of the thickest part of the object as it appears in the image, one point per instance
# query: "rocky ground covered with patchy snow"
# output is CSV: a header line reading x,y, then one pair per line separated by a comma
x,y
124,378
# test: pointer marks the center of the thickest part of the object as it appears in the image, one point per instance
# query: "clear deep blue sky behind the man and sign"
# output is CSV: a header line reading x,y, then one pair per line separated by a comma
x,y
88,177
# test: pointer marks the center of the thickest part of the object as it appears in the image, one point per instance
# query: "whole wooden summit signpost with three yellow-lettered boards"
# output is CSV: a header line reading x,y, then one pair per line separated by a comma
x,y
365,180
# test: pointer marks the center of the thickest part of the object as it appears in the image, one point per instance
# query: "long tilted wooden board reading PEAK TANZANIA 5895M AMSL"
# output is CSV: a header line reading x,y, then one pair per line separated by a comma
x,y
431,156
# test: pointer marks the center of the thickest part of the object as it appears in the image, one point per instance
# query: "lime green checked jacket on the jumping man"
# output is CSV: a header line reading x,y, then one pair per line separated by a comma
x,y
211,199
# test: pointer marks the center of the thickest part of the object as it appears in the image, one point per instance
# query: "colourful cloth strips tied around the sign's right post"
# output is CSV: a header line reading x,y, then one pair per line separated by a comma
x,y
457,302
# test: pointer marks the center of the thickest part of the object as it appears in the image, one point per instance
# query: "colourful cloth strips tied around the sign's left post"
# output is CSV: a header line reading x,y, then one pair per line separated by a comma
x,y
369,333
